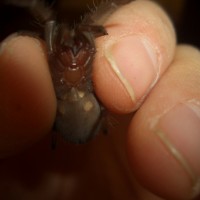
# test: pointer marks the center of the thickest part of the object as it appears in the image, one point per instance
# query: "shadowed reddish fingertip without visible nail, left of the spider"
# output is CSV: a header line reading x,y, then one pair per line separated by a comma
x,y
27,100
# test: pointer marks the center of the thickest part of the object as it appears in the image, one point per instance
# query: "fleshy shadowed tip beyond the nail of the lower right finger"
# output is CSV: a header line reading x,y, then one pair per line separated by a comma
x,y
155,167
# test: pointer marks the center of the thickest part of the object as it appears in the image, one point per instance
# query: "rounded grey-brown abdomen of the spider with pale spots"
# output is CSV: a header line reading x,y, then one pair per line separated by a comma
x,y
78,116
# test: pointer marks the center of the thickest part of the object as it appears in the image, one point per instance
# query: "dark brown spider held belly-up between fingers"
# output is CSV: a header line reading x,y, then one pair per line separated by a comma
x,y
70,54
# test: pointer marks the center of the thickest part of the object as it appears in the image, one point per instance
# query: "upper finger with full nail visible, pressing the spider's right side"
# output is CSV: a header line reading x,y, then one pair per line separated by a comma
x,y
131,58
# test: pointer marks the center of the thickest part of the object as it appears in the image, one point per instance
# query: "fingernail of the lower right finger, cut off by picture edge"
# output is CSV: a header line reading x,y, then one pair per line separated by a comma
x,y
179,131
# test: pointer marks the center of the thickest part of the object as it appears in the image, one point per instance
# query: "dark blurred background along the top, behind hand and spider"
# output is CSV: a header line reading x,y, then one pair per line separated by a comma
x,y
185,15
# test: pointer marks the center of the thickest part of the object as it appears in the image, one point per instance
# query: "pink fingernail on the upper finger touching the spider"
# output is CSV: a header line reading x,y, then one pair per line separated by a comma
x,y
134,61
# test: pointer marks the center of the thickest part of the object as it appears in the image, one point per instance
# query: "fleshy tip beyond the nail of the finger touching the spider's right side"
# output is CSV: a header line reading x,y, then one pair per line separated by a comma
x,y
111,92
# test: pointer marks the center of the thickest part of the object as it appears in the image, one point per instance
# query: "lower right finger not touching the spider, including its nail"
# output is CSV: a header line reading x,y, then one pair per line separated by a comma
x,y
164,136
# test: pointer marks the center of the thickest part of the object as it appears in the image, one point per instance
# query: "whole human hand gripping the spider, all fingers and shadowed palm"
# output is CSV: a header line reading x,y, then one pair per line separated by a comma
x,y
133,161
